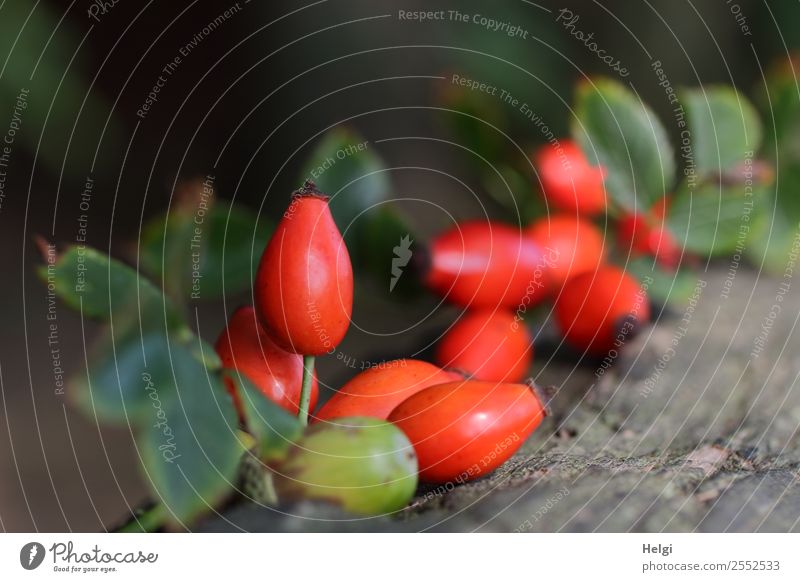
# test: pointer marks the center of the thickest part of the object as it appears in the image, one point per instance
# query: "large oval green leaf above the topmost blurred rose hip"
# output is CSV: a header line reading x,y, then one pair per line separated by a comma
x,y
616,130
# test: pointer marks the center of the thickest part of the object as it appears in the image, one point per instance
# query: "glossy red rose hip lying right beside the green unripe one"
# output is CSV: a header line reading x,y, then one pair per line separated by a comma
x,y
464,430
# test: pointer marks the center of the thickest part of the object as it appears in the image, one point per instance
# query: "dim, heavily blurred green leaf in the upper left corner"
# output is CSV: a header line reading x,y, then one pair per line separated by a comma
x,y
62,110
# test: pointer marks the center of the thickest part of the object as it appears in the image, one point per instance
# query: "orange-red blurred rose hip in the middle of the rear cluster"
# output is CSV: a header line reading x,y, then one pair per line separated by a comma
x,y
571,245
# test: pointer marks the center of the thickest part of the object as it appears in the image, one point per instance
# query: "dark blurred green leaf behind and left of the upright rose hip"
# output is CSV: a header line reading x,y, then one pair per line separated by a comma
x,y
205,260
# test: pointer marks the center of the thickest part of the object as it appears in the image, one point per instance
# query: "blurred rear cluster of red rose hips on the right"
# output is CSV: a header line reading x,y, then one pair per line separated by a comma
x,y
498,272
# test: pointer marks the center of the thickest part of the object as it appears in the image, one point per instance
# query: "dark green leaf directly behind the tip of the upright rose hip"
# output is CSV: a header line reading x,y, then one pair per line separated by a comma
x,y
346,167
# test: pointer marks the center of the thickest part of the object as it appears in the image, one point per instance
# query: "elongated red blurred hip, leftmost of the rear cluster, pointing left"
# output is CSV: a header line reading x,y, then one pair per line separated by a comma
x,y
485,264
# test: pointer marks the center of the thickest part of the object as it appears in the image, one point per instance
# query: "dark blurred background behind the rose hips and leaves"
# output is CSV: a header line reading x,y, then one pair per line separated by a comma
x,y
247,104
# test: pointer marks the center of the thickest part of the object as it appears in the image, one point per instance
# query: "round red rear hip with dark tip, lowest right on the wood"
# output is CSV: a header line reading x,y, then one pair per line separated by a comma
x,y
592,309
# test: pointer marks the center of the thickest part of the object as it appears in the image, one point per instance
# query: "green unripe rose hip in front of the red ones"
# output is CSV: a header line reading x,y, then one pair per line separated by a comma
x,y
365,465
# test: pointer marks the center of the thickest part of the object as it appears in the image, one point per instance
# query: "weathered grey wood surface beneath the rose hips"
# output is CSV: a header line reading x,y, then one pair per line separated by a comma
x,y
694,428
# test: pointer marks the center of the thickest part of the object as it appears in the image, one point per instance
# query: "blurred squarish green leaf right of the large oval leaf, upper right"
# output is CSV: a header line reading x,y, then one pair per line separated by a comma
x,y
725,129
